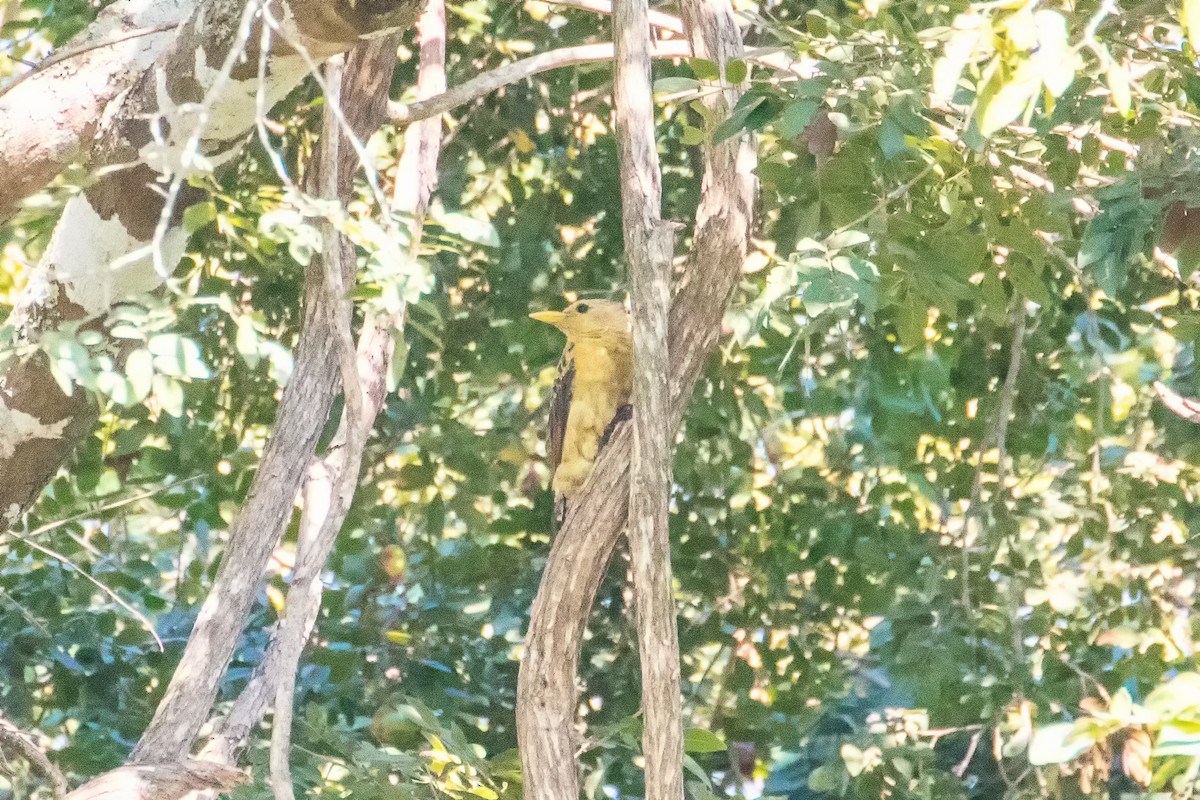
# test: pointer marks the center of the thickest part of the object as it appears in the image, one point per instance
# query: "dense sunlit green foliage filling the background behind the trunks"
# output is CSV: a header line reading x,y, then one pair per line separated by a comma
x,y
886,586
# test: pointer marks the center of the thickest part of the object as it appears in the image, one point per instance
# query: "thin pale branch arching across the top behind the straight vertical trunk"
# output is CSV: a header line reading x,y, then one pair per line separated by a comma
x,y
511,74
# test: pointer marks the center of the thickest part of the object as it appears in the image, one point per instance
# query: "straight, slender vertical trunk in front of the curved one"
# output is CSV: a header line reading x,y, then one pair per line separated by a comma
x,y
650,244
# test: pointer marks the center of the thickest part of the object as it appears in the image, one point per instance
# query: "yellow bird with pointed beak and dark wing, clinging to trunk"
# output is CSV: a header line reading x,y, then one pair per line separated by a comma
x,y
596,378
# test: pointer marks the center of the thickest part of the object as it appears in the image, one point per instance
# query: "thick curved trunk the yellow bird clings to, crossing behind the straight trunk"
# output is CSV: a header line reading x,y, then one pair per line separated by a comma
x,y
597,519
